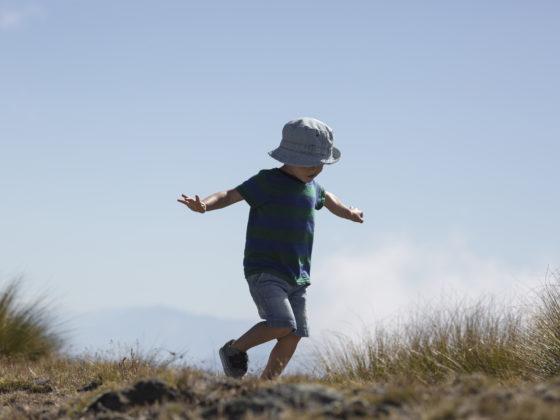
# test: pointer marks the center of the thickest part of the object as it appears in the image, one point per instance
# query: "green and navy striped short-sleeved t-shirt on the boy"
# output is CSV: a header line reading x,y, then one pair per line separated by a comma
x,y
281,225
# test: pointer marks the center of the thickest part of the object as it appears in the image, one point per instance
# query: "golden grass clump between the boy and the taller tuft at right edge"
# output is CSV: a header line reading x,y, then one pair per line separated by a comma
x,y
431,346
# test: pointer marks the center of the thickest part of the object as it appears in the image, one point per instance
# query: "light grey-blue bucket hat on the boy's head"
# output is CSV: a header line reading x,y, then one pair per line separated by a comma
x,y
306,142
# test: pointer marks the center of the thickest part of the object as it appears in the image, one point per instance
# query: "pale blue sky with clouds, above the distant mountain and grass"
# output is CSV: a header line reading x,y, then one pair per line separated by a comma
x,y
446,114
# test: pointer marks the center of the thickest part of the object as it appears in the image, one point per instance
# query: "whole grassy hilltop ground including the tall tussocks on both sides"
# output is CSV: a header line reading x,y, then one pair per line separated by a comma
x,y
480,360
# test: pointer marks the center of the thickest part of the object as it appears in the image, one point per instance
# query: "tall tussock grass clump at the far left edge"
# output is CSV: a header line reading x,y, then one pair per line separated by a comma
x,y
26,329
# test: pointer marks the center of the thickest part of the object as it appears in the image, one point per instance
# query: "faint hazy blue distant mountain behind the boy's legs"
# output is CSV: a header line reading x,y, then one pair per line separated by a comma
x,y
158,330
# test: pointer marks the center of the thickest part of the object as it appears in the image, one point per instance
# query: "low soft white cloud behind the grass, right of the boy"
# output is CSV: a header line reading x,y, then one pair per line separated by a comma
x,y
353,291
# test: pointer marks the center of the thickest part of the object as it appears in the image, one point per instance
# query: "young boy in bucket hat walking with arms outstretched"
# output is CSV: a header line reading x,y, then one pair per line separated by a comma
x,y
279,240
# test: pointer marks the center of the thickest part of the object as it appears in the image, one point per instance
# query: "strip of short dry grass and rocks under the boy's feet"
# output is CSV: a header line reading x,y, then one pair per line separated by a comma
x,y
53,388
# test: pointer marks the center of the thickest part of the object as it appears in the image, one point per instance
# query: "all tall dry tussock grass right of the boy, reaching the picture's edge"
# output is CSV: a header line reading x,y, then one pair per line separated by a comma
x,y
433,345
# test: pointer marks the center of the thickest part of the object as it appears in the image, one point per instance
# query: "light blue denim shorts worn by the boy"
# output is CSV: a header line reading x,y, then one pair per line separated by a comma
x,y
280,303
